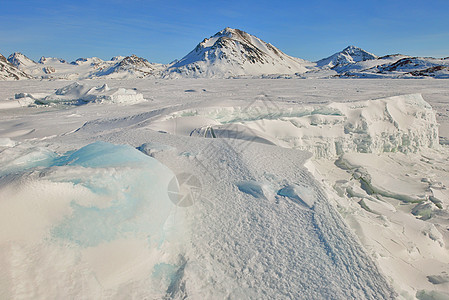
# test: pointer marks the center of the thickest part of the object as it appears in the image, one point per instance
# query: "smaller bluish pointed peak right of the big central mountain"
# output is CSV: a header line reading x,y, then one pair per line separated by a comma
x,y
349,55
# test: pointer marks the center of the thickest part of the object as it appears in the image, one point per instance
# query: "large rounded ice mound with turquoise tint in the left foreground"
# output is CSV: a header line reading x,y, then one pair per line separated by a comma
x,y
105,206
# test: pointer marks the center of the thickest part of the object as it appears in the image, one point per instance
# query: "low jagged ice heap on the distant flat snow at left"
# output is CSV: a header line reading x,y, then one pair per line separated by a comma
x,y
78,94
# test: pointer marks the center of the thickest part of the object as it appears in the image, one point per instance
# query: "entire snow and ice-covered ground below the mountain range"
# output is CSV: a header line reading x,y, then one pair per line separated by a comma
x,y
226,189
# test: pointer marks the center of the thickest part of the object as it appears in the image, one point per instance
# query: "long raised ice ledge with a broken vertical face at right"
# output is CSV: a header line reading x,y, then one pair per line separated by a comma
x,y
403,123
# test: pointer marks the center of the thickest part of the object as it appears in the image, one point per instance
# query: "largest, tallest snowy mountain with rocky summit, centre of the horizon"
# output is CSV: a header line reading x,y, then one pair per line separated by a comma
x,y
232,52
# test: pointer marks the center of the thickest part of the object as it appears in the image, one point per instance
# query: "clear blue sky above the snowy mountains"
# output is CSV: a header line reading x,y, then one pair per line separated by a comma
x,y
162,31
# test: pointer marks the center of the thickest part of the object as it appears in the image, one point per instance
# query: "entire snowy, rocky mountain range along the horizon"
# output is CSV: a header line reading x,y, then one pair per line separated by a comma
x,y
230,53
